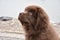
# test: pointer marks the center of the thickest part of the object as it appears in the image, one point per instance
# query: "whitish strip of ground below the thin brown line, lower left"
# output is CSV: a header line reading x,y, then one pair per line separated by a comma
x,y
11,36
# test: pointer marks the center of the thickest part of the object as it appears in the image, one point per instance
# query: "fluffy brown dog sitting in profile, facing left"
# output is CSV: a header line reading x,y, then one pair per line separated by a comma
x,y
36,24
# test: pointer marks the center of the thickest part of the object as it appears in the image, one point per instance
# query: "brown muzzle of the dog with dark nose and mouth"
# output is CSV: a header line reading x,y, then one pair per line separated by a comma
x,y
24,17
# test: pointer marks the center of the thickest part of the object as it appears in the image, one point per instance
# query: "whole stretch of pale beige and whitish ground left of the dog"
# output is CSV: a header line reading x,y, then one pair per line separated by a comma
x,y
11,30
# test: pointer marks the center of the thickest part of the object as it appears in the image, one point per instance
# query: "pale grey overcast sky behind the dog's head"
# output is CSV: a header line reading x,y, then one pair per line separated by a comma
x,y
13,7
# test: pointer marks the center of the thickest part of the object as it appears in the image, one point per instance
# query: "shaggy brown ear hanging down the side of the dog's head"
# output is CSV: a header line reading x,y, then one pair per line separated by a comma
x,y
42,18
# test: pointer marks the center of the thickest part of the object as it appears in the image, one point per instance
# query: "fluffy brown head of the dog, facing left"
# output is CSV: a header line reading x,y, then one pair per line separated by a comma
x,y
33,16
